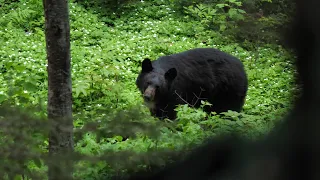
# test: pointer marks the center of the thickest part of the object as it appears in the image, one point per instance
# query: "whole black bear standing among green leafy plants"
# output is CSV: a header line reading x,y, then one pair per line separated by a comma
x,y
191,76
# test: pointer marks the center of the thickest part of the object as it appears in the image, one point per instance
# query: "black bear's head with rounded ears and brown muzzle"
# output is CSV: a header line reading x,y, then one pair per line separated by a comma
x,y
154,83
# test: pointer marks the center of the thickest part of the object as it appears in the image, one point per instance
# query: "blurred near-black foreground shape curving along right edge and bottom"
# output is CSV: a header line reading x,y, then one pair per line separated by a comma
x,y
291,151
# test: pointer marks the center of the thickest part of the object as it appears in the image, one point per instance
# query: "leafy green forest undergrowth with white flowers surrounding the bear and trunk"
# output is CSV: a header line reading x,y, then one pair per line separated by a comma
x,y
109,39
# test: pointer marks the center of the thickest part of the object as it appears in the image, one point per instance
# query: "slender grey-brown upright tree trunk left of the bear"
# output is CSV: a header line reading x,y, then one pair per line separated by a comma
x,y
57,31
